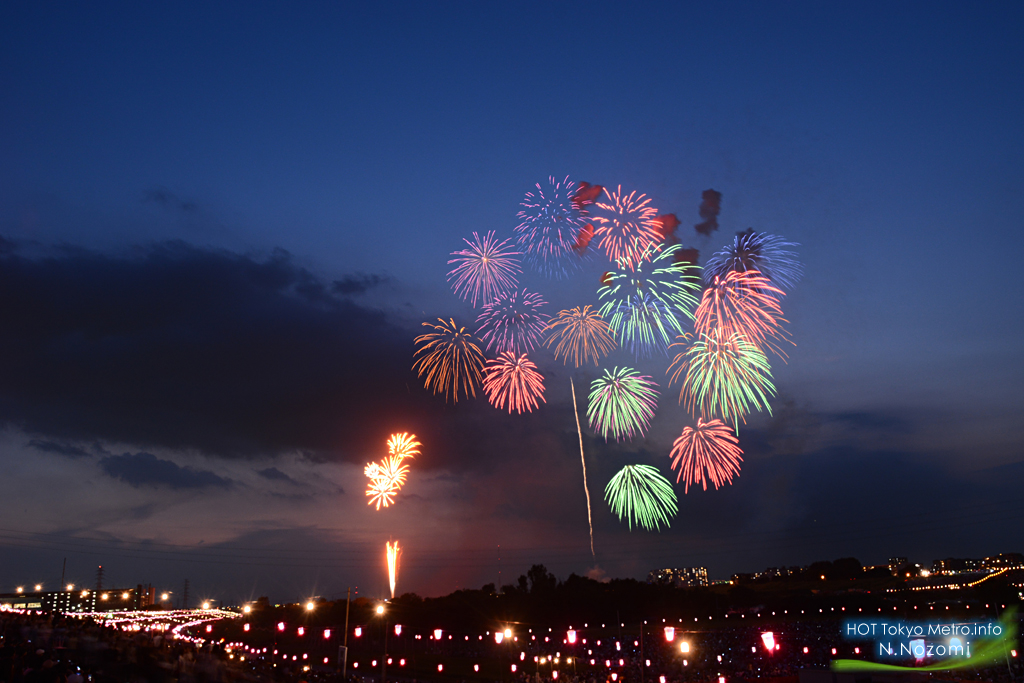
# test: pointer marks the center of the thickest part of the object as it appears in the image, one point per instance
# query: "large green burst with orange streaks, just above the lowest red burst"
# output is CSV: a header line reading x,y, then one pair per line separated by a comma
x,y
724,376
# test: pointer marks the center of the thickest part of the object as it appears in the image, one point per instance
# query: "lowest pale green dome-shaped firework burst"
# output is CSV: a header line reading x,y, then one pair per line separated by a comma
x,y
643,496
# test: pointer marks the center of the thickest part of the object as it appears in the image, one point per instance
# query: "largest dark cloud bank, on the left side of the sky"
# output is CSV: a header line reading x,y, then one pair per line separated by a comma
x,y
183,348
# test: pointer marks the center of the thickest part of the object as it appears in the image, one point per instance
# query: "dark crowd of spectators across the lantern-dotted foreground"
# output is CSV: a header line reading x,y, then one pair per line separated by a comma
x,y
42,649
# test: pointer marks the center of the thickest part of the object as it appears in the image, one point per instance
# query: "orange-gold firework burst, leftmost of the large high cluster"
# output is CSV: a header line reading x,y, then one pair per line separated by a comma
x,y
450,359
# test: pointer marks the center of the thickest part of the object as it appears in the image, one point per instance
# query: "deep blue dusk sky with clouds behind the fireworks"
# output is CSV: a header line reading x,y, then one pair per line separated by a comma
x,y
224,224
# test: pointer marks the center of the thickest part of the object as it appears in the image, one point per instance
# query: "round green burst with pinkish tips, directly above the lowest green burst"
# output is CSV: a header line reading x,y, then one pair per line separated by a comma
x,y
622,403
